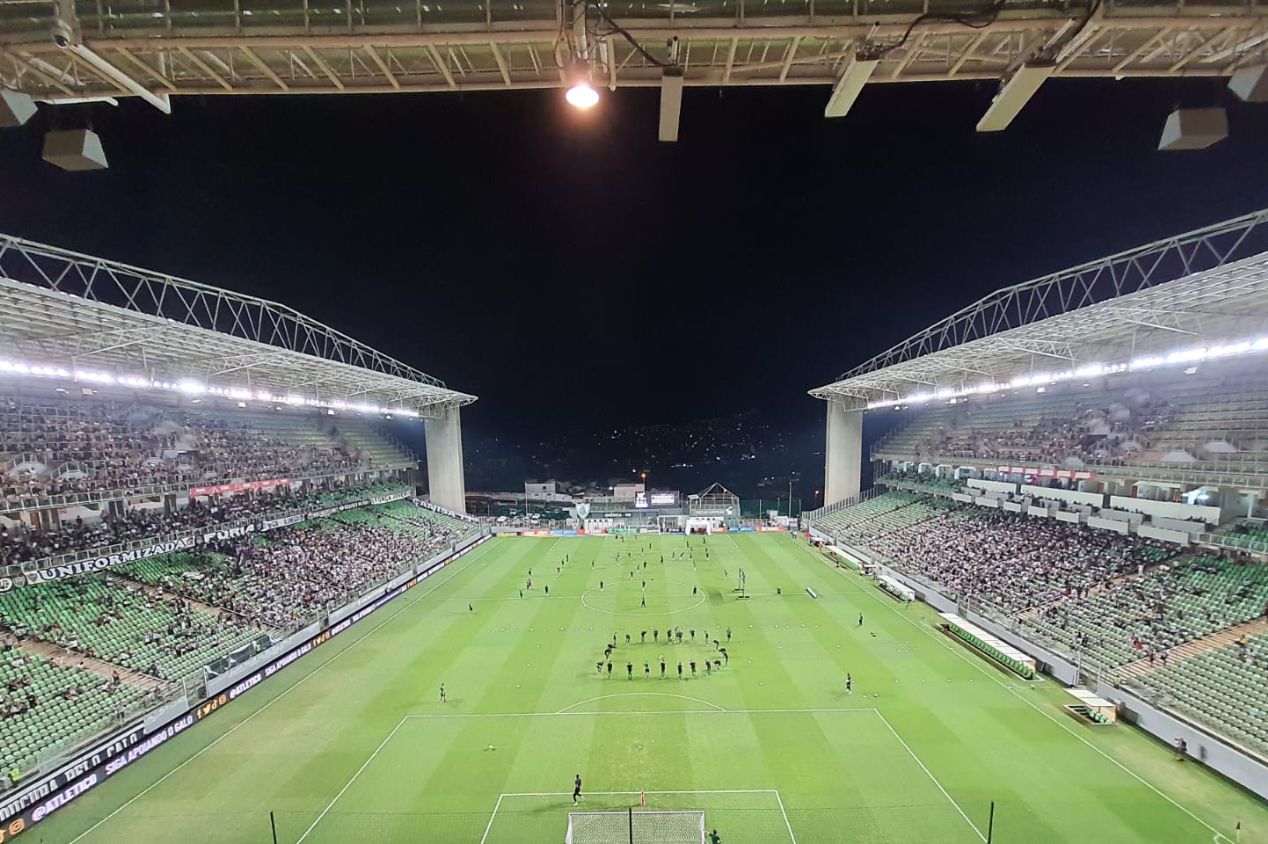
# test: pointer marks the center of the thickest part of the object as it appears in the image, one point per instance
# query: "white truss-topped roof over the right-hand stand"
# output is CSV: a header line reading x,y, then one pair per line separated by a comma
x,y
1180,301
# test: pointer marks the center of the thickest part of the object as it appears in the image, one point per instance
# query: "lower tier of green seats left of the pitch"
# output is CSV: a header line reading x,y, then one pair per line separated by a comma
x,y
168,617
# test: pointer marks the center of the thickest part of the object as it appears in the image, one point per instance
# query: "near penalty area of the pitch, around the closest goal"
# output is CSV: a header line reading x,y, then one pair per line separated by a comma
x,y
763,775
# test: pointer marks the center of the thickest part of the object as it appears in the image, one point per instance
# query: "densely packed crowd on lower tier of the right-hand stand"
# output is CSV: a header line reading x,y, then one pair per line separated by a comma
x,y
1012,562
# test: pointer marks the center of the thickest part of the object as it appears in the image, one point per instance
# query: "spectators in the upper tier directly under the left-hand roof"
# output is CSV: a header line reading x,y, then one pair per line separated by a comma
x,y
83,447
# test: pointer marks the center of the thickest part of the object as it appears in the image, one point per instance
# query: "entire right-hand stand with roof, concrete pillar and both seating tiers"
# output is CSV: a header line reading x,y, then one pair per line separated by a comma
x,y
1077,481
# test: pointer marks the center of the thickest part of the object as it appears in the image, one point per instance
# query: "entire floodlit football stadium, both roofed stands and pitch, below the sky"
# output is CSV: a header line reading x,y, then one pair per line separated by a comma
x,y
231,614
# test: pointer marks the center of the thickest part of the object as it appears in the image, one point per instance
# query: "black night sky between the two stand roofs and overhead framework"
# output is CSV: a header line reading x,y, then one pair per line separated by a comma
x,y
573,271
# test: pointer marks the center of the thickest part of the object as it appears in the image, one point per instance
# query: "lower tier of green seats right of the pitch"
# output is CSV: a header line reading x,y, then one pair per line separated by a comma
x,y
1157,617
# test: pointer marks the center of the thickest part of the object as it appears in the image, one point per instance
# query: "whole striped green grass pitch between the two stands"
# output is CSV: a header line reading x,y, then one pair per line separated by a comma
x,y
353,743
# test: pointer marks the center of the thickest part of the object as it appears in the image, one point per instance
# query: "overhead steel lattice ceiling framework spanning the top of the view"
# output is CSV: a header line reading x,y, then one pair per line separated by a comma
x,y
64,51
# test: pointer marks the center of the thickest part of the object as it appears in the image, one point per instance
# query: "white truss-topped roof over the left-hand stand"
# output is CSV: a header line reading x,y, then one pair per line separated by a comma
x,y
72,316
